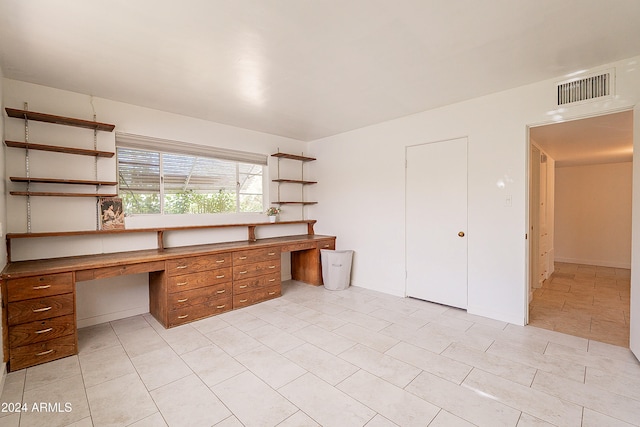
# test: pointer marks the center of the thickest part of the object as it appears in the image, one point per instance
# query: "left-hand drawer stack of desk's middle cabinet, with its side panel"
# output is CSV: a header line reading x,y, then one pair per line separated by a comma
x,y
191,288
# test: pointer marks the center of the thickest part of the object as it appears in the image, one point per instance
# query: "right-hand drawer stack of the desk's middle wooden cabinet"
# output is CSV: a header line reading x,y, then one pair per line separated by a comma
x,y
256,276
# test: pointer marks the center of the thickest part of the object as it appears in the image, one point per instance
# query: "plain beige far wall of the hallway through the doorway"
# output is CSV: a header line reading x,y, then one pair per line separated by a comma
x,y
593,214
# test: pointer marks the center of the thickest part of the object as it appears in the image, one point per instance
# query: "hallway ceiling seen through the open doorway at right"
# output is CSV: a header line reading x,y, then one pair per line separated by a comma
x,y
601,139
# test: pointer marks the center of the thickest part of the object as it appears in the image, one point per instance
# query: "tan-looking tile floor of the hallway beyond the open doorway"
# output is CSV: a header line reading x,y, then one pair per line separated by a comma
x,y
586,301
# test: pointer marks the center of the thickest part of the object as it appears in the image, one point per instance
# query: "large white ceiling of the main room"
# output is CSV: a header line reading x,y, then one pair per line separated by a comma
x,y
307,69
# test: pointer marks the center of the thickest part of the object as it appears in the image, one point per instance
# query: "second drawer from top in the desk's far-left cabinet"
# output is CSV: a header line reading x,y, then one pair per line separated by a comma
x,y
40,308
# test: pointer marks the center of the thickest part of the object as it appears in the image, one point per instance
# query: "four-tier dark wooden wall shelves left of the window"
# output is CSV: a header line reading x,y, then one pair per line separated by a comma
x,y
27,116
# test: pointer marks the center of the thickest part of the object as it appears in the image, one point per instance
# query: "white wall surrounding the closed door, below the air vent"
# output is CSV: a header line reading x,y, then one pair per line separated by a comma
x,y
361,187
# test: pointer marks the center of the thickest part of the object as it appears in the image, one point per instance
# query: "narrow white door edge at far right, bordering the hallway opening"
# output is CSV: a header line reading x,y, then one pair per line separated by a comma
x,y
634,312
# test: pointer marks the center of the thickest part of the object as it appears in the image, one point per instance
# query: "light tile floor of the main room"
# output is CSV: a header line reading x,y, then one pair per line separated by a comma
x,y
342,358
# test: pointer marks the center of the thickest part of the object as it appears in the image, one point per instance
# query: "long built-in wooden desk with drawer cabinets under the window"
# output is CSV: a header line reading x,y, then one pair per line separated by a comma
x,y
185,284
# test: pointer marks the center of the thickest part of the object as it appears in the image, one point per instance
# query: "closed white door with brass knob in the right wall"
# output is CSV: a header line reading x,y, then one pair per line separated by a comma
x,y
436,223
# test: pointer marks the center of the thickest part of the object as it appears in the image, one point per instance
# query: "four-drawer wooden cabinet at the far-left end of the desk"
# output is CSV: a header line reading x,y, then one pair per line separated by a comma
x,y
40,319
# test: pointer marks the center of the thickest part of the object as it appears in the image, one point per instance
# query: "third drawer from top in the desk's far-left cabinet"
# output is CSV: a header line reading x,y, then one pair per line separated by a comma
x,y
42,330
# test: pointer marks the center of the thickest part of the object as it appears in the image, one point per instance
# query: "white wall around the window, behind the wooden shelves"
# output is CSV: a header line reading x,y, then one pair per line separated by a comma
x,y
108,299
